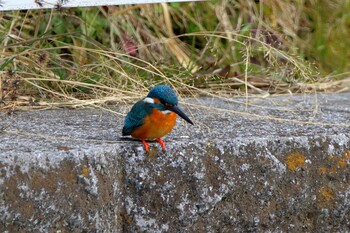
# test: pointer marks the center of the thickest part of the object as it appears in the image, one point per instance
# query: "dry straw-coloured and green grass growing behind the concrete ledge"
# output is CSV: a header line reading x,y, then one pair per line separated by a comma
x,y
100,55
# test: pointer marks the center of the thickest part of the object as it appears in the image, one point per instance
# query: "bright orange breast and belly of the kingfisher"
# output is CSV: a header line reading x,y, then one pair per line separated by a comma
x,y
155,125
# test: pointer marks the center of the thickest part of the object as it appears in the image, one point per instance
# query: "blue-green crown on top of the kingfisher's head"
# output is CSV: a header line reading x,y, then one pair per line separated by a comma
x,y
164,94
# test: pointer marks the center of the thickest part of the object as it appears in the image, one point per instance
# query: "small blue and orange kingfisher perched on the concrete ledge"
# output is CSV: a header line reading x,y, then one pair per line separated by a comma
x,y
154,116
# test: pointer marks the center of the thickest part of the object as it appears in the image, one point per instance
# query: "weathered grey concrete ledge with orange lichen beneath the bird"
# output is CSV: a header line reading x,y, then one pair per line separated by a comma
x,y
68,171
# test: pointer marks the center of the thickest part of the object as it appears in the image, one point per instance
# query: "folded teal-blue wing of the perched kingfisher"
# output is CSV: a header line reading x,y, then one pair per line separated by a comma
x,y
135,117
